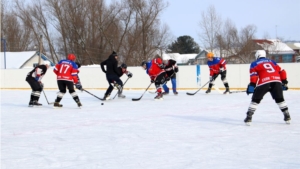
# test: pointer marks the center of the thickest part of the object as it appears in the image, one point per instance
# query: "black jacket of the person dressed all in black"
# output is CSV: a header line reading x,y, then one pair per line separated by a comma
x,y
111,66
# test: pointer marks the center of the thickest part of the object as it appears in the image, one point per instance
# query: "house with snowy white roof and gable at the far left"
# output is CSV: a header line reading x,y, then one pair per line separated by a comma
x,y
19,60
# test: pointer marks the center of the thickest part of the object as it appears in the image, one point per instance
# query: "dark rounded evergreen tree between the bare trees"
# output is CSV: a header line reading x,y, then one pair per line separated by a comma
x,y
184,45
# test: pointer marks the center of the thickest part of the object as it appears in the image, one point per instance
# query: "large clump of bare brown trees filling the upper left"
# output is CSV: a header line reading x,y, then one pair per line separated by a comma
x,y
91,29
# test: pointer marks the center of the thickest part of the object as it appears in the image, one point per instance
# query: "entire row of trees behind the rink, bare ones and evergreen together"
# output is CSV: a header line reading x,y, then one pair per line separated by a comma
x,y
92,29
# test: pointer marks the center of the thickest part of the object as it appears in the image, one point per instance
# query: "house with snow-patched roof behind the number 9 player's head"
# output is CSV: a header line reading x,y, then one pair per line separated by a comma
x,y
277,50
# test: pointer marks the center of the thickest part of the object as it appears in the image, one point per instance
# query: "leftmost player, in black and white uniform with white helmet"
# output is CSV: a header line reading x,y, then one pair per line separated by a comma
x,y
34,78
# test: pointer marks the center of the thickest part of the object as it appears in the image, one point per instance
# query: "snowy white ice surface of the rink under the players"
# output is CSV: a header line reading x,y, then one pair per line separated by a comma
x,y
180,132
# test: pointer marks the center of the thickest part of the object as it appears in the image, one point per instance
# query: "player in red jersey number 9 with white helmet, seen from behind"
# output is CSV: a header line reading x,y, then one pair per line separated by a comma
x,y
266,76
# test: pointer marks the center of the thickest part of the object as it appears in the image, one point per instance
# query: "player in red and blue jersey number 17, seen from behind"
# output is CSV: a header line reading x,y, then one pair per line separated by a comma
x,y
66,71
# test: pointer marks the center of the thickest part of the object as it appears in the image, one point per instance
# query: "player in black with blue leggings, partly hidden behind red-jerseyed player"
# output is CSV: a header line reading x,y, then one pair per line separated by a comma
x,y
171,69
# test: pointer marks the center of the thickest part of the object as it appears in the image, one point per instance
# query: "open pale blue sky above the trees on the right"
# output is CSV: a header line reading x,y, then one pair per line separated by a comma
x,y
271,17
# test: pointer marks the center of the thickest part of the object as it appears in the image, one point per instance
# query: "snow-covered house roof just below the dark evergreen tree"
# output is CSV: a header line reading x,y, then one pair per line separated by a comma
x,y
181,59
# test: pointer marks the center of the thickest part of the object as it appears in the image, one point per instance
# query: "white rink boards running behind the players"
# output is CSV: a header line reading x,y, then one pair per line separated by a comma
x,y
94,78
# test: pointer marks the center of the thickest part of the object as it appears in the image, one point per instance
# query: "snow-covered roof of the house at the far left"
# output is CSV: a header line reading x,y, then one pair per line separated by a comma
x,y
15,60
